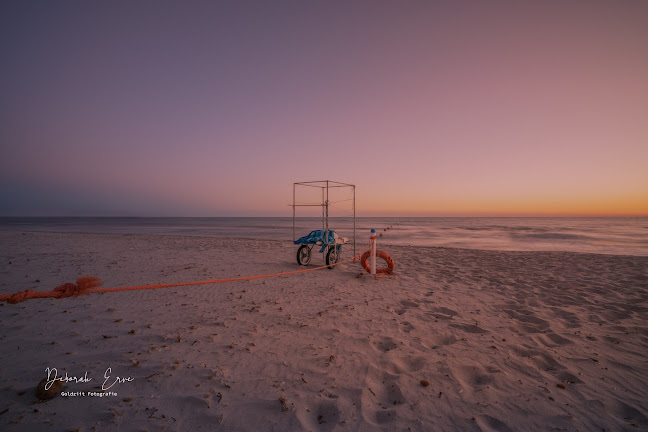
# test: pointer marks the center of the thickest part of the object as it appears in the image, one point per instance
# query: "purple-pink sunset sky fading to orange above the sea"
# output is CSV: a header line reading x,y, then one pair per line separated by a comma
x,y
431,108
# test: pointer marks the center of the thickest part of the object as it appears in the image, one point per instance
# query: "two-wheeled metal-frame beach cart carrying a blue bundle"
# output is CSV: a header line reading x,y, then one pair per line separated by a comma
x,y
329,241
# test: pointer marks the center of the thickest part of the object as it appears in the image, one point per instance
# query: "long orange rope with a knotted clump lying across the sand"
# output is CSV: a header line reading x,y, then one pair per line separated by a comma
x,y
85,284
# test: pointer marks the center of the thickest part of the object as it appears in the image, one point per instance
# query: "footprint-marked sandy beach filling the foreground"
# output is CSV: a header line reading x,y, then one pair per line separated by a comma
x,y
506,340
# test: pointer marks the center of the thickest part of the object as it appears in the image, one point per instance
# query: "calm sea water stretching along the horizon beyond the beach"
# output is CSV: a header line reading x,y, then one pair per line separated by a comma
x,y
619,236
